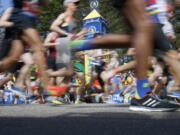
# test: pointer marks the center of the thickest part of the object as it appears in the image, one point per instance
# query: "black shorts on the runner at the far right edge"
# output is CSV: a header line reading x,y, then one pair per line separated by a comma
x,y
161,42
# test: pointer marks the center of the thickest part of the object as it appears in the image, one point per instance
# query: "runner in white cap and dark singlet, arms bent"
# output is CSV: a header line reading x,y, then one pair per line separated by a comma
x,y
65,26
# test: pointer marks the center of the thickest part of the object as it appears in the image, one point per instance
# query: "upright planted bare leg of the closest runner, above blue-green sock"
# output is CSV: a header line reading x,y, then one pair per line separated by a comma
x,y
143,35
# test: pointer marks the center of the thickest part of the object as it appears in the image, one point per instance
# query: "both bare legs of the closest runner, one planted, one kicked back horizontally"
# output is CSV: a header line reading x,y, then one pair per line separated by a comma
x,y
142,38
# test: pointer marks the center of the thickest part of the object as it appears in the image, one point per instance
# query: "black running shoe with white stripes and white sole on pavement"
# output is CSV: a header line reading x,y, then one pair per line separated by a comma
x,y
151,103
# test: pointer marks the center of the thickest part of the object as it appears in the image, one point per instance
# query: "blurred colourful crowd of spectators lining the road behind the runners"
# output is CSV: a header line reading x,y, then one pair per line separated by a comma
x,y
118,90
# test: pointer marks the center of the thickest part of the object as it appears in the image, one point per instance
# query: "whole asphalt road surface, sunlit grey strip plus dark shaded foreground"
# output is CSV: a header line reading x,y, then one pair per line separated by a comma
x,y
89,119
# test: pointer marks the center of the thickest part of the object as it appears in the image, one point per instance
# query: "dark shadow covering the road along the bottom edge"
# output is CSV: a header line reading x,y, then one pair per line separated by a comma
x,y
100,123
